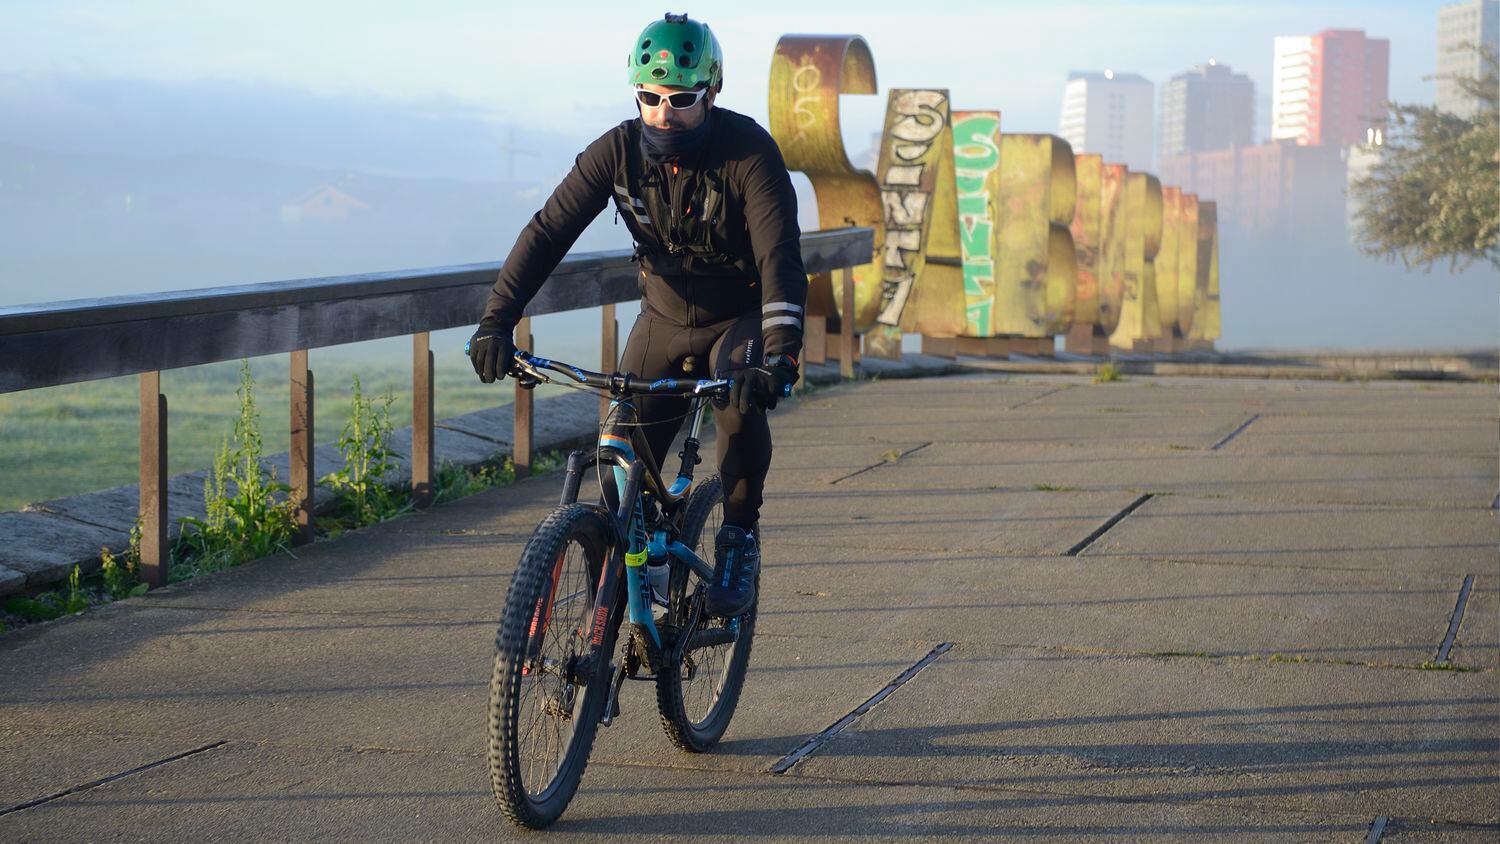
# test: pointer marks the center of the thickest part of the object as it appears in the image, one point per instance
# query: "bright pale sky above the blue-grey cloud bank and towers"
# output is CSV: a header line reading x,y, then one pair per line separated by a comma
x,y
563,62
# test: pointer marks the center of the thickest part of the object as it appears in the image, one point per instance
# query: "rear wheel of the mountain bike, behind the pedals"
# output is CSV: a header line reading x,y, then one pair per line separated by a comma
x,y
698,695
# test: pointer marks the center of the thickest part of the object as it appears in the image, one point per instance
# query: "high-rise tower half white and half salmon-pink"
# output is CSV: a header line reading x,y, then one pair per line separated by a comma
x,y
1330,89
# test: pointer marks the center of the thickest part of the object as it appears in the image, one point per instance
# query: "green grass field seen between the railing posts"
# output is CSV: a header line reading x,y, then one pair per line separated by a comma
x,y
86,437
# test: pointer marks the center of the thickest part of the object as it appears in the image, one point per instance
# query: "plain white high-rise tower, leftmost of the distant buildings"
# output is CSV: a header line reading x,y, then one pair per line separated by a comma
x,y
1111,115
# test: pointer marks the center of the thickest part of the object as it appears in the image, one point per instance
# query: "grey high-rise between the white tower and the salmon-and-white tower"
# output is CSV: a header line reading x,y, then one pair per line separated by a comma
x,y
1208,107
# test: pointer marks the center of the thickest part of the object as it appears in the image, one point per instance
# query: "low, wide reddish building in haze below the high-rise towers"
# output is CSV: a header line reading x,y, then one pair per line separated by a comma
x,y
1279,191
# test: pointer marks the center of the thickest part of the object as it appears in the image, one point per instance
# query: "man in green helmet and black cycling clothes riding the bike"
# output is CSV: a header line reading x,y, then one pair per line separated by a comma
x,y
713,215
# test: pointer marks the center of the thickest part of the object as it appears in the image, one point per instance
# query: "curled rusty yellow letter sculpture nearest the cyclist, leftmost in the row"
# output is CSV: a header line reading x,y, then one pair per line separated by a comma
x,y
808,76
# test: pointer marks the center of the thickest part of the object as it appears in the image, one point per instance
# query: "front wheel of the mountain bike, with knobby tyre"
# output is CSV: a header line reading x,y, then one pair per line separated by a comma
x,y
545,693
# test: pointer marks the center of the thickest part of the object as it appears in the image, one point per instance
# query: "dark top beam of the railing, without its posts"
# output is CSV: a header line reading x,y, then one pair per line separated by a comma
x,y
44,346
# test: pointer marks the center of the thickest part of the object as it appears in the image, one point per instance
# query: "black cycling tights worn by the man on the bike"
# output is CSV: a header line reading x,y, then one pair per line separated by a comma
x,y
662,350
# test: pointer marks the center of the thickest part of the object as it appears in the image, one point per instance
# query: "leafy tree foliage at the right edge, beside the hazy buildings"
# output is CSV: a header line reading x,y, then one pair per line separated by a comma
x,y
1435,196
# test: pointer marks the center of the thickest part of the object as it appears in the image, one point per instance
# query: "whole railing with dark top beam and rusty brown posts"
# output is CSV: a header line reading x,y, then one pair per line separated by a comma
x,y
46,346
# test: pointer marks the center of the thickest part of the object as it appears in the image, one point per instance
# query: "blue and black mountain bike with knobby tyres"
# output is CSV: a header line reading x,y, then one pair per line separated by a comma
x,y
640,560
